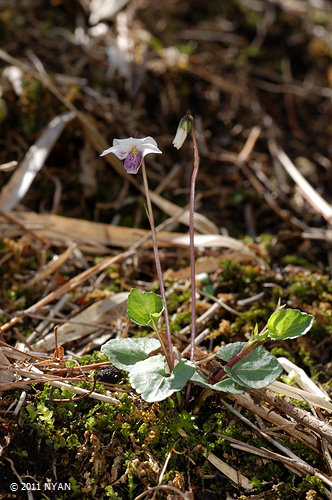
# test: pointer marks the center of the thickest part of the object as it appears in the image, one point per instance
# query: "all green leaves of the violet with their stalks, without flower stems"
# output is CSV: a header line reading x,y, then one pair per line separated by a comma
x,y
248,365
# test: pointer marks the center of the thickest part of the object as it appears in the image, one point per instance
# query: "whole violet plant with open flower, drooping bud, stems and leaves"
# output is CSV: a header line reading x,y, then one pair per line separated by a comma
x,y
156,377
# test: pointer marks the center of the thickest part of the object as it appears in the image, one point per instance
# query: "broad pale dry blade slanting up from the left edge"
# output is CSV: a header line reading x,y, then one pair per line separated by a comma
x,y
25,173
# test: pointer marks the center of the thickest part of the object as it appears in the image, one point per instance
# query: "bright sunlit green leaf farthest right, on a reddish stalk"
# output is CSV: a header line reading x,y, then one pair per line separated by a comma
x,y
289,323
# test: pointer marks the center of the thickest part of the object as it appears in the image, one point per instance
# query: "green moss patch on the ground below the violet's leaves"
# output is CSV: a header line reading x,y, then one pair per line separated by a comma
x,y
65,431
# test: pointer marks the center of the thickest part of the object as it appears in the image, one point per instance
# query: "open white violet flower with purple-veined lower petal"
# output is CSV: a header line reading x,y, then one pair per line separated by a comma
x,y
132,151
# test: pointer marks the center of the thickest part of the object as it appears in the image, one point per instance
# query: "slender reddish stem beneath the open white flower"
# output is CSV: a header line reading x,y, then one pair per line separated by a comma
x,y
170,357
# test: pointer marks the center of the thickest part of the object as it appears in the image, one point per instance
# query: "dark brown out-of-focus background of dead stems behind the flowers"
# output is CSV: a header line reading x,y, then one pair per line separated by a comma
x,y
134,68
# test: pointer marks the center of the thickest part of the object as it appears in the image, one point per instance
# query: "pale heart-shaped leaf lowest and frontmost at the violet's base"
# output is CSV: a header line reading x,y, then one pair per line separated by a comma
x,y
152,380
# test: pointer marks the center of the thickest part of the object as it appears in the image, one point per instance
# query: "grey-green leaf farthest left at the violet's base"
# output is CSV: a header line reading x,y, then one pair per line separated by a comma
x,y
123,353
